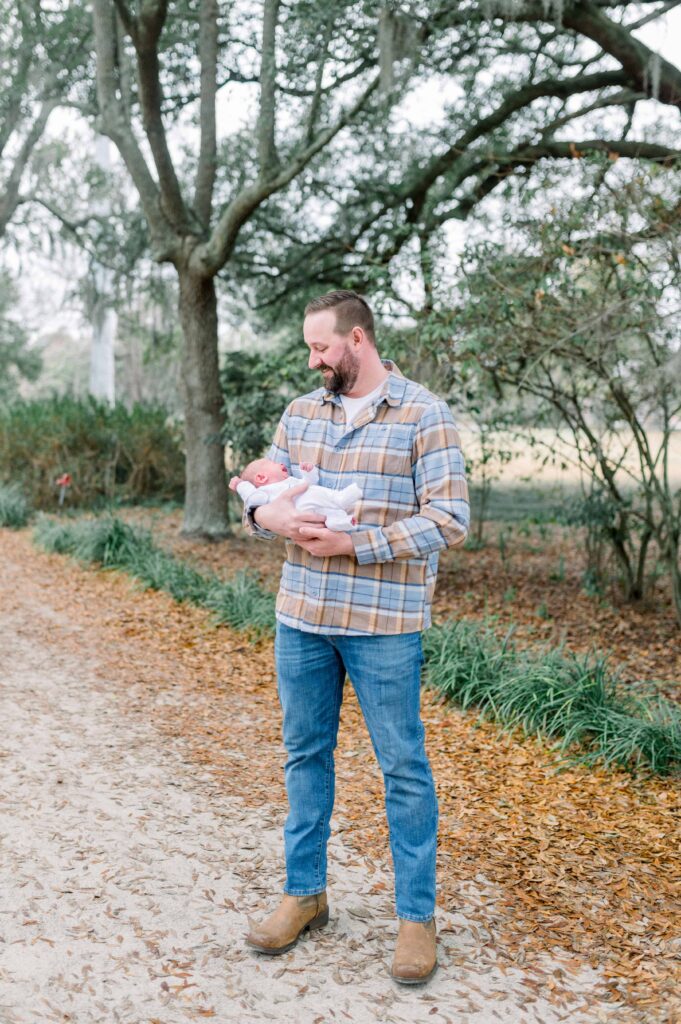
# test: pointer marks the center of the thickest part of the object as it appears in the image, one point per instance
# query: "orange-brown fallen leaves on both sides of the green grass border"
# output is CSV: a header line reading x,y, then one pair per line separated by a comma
x,y
588,862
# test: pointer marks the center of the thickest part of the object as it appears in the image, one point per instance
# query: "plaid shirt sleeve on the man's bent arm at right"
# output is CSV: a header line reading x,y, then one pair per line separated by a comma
x,y
440,480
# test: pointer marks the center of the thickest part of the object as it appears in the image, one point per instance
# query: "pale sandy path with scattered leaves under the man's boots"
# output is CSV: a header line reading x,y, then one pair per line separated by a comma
x,y
127,877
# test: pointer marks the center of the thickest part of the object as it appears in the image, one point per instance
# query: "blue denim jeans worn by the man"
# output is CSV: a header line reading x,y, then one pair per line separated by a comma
x,y
387,674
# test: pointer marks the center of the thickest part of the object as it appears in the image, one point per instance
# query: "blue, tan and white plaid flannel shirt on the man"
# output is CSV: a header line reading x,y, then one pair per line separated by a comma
x,y
405,452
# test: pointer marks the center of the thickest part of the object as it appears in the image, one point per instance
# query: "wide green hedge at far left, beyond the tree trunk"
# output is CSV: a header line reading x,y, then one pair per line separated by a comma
x,y
112,455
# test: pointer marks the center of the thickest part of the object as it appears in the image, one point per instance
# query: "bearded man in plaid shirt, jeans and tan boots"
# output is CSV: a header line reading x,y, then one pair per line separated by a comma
x,y
357,604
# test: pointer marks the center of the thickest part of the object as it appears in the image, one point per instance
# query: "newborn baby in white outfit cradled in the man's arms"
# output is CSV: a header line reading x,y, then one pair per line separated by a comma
x,y
264,481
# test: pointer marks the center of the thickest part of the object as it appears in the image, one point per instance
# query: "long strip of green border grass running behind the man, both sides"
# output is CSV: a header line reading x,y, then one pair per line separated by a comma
x,y
575,702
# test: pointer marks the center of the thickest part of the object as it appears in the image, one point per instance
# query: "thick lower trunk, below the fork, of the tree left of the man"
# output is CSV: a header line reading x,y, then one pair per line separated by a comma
x,y
206,499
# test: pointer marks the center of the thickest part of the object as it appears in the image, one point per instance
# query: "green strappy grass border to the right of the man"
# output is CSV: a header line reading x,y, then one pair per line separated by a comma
x,y
575,700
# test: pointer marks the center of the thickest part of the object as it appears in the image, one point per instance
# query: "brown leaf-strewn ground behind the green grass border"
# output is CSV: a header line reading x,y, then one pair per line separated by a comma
x,y
536,588
